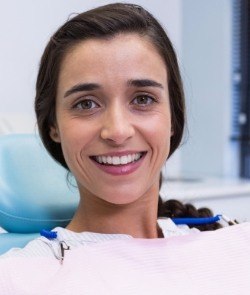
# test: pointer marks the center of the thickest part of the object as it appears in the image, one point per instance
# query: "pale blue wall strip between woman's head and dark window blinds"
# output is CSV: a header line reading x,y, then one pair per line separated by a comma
x,y
206,67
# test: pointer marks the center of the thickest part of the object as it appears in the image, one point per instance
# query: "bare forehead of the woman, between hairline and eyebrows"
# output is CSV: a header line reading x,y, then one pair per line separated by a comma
x,y
123,57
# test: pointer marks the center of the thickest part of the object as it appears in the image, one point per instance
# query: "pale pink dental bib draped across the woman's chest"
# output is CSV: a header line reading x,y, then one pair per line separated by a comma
x,y
216,262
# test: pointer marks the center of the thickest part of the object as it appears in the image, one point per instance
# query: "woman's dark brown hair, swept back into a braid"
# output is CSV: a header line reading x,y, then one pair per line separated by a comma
x,y
105,22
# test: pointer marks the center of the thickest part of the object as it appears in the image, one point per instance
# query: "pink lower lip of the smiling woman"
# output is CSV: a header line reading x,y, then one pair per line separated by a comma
x,y
121,169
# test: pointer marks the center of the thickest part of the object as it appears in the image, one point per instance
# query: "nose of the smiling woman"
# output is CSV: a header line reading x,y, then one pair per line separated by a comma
x,y
117,125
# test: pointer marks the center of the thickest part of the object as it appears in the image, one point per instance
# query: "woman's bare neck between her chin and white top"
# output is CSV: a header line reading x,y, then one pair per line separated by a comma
x,y
138,219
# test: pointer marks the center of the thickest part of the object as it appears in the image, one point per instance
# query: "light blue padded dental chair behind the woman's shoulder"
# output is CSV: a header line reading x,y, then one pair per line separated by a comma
x,y
34,191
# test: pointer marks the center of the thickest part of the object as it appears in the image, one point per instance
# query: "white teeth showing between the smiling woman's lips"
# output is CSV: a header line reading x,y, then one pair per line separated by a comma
x,y
118,161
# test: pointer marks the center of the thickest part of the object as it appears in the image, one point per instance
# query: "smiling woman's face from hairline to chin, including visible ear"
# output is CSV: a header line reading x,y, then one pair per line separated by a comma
x,y
113,117
